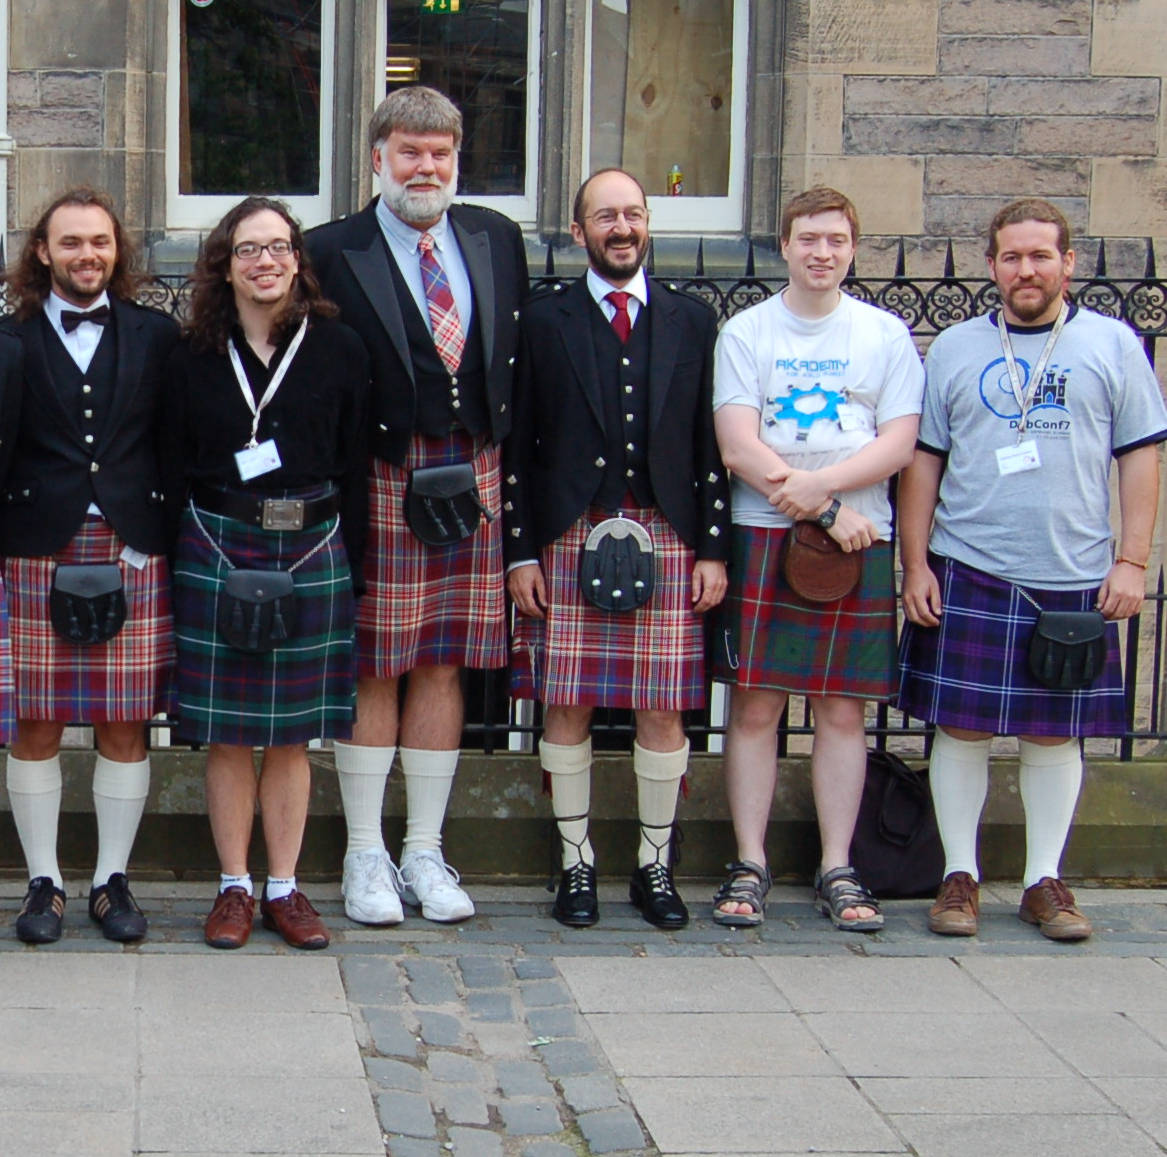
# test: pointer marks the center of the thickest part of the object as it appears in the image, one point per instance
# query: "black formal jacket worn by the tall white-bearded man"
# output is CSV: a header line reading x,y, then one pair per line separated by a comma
x,y
352,261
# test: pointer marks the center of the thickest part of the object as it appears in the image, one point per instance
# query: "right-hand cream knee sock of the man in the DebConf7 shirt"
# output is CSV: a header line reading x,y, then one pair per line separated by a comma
x,y
1051,780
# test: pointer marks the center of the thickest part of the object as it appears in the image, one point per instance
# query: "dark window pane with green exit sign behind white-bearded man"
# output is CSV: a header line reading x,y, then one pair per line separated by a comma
x,y
474,52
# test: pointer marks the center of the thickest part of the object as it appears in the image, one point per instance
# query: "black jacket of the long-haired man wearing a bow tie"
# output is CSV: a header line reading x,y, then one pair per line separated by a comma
x,y
54,475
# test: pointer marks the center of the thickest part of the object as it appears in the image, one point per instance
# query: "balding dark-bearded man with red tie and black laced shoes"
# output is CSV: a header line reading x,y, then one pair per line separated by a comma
x,y
617,510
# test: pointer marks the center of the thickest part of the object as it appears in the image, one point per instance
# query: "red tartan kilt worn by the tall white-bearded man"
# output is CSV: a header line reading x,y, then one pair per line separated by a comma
x,y
431,607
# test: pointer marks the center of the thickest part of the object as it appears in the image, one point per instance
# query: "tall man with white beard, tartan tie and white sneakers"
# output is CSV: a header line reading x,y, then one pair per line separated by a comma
x,y
434,290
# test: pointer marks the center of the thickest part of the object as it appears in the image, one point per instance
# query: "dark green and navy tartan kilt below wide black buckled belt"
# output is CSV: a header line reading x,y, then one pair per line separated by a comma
x,y
304,689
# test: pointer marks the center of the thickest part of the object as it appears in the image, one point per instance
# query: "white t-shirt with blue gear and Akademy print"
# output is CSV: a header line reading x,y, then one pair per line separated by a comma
x,y
822,387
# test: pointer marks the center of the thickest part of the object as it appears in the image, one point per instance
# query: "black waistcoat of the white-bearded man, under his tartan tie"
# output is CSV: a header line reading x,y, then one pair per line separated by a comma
x,y
444,400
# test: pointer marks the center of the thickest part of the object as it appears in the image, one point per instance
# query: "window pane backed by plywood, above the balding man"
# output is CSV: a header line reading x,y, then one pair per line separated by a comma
x,y
661,93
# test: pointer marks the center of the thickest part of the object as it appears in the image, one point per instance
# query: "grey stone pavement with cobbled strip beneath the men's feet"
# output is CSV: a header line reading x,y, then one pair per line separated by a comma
x,y
513,1037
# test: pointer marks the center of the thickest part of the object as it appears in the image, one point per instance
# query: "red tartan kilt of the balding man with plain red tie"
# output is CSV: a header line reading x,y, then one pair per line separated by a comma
x,y
649,659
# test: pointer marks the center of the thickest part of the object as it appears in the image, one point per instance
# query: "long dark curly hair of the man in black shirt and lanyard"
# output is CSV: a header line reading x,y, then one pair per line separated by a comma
x,y
213,312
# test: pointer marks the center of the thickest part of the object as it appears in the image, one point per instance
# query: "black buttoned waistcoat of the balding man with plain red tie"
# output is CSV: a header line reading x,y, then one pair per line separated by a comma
x,y
624,371
